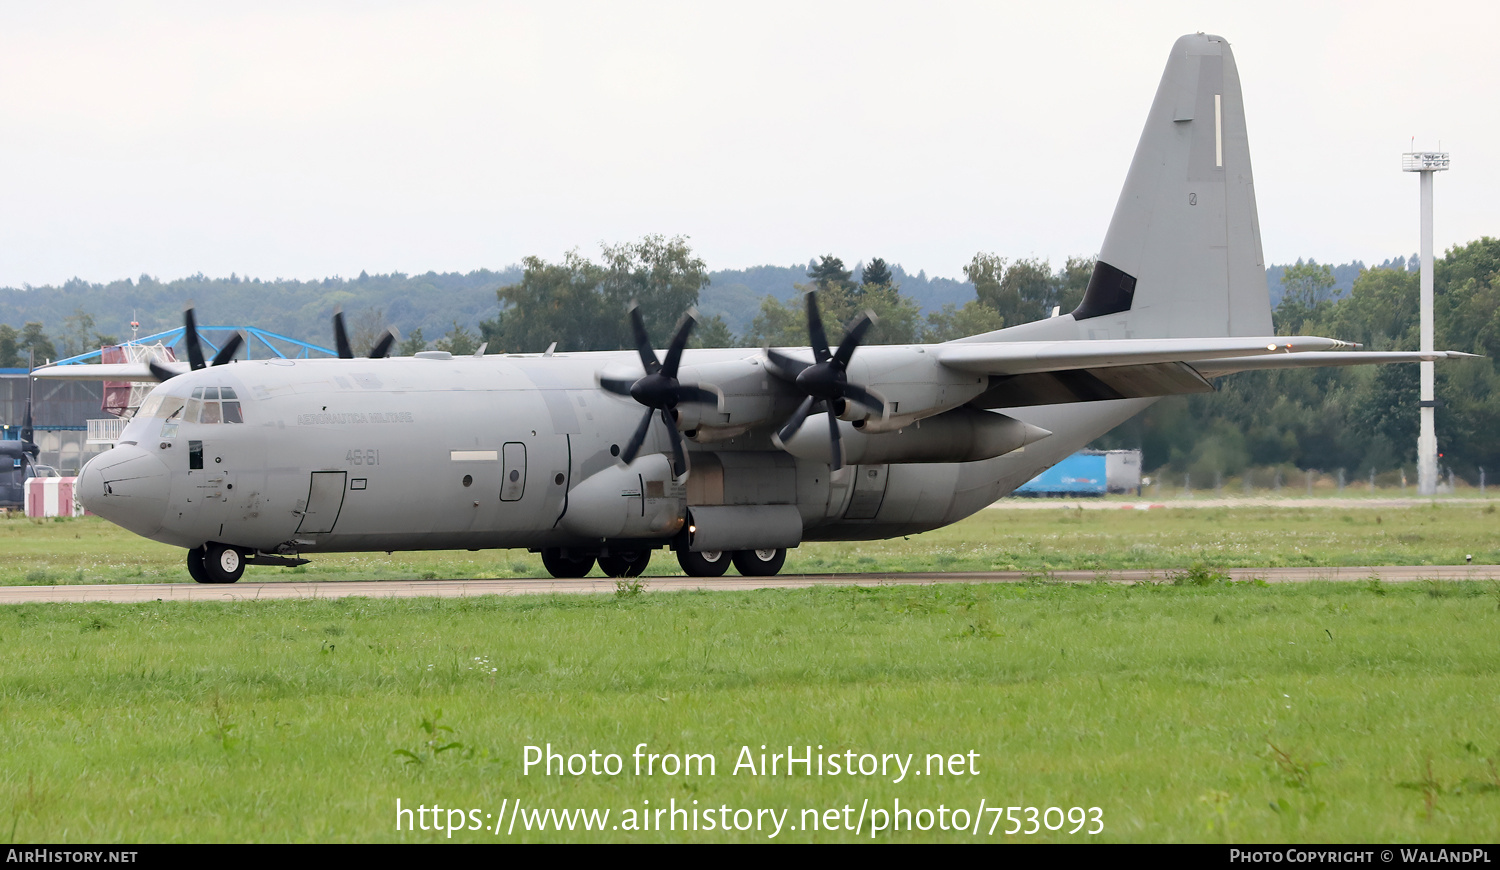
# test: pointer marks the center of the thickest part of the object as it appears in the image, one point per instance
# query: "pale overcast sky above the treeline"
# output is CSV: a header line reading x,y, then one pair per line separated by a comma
x,y
305,140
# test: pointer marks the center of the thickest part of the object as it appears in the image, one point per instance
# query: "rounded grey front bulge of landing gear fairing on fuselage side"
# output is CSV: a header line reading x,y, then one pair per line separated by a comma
x,y
637,502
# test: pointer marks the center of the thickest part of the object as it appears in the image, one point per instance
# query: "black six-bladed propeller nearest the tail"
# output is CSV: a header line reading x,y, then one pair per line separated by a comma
x,y
826,382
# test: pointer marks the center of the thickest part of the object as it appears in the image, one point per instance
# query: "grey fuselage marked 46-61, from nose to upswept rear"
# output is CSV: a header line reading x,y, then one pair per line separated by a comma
x,y
490,452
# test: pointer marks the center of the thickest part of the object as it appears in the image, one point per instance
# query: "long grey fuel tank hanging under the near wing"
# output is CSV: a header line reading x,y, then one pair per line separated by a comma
x,y
961,436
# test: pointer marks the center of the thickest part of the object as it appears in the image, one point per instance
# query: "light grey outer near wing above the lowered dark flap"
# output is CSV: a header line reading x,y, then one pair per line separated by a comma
x,y
1033,358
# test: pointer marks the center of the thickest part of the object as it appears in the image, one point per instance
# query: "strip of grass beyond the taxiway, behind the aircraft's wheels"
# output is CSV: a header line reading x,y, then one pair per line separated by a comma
x,y
92,551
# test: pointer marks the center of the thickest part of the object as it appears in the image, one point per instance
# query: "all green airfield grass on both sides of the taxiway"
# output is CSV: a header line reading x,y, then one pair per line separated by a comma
x,y
1184,712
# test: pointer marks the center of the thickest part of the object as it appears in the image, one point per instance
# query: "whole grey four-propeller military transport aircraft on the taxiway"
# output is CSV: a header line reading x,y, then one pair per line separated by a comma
x,y
721,455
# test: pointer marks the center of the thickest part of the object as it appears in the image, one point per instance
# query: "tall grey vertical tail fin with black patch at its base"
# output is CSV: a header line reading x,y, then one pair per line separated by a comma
x,y
1183,254
